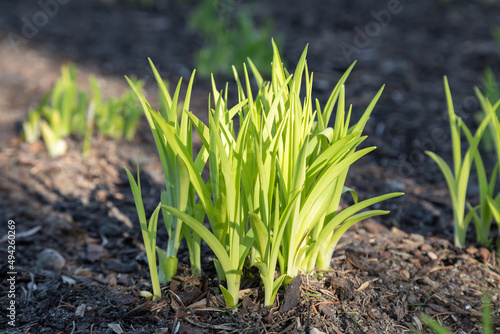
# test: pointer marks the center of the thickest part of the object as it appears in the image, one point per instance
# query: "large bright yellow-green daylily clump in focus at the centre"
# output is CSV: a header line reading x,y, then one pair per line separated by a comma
x,y
275,183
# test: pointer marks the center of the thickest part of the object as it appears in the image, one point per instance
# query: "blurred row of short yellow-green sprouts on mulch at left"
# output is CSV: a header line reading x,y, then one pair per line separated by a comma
x,y
67,110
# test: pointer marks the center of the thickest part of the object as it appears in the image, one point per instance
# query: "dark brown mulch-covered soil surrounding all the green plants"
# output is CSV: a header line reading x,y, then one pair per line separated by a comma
x,y
385,272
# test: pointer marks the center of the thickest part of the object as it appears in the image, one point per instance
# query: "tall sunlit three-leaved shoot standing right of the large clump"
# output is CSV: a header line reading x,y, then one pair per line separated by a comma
x,y
458,179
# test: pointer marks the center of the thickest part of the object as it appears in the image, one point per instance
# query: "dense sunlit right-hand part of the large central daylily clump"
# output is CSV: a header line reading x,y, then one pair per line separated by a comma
x,y
302,167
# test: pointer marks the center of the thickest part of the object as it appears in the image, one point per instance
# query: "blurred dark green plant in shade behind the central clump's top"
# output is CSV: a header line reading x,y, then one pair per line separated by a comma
x,y
230,36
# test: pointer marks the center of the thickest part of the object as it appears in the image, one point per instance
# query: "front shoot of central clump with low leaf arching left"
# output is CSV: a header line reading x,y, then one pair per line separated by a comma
x,y
224,197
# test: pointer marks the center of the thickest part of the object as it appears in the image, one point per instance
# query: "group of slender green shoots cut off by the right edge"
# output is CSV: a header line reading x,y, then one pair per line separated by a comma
x,y
458,179
